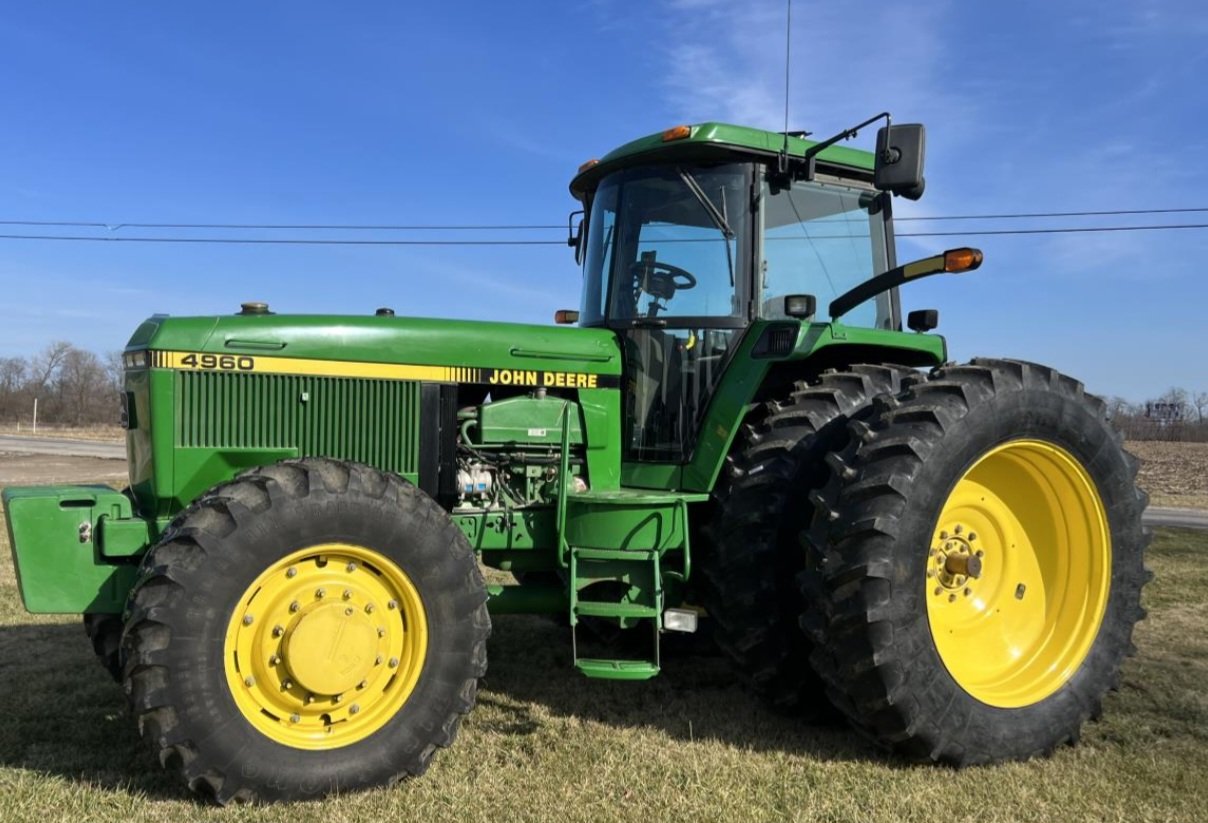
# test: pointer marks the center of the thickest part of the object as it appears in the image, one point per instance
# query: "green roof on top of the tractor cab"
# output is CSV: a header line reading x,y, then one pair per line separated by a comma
x,y
706,142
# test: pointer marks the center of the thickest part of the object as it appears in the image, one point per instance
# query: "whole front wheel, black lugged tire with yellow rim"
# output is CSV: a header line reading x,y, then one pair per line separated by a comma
x,y
312,627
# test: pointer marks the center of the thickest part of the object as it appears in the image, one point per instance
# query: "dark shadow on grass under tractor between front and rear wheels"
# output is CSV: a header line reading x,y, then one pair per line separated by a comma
x,y
696,697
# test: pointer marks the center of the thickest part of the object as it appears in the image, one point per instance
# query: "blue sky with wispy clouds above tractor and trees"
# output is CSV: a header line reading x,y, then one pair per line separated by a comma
x,y
480,113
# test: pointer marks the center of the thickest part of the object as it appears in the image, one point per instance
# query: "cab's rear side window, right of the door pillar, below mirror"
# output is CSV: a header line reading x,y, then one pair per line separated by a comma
x,y
822,239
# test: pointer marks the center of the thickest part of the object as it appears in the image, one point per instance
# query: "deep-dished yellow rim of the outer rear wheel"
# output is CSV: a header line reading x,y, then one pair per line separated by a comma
x,y
1019,573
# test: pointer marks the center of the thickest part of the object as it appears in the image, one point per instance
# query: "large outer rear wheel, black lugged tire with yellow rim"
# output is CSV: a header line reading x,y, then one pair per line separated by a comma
x,y
983,565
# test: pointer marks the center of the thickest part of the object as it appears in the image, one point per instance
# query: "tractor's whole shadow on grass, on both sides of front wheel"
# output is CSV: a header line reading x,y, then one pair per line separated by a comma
x,y
67,718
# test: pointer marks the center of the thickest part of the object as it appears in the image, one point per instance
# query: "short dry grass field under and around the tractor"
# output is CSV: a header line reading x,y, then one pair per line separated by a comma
x,y
547,745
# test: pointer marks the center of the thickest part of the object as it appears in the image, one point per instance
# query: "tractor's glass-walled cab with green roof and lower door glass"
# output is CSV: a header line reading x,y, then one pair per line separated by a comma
x,y
688,242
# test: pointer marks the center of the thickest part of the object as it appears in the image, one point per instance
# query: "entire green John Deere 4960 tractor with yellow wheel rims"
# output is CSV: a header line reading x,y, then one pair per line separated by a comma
x,y
737,434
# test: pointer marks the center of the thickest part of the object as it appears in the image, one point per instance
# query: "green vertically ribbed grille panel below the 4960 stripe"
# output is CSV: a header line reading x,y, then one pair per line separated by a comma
x,y
369,421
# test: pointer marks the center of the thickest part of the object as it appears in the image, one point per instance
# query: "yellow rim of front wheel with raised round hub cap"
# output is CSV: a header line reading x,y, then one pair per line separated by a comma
x,y
326,647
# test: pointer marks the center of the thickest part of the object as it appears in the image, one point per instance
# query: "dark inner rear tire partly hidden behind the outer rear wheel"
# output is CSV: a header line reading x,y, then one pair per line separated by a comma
x,y
753,550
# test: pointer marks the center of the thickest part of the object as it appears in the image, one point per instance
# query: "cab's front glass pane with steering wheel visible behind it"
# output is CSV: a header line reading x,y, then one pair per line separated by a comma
x,y
669,245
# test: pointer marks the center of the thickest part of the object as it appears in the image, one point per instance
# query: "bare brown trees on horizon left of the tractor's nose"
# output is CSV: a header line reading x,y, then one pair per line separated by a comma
x,y
72,386
